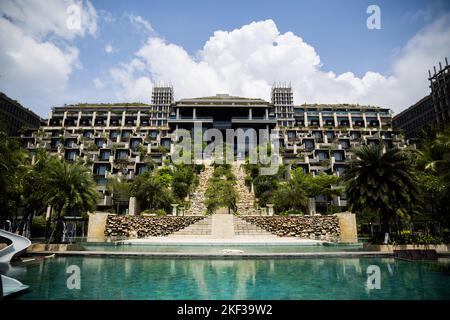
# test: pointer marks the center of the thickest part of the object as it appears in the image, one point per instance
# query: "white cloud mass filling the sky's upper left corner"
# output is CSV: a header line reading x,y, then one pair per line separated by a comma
x,y
37,56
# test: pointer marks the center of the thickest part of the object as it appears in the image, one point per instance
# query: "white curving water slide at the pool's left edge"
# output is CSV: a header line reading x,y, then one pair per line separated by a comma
x,y
18,245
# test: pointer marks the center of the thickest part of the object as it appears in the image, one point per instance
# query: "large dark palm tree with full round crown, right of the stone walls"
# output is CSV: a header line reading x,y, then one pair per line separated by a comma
x,y
380,181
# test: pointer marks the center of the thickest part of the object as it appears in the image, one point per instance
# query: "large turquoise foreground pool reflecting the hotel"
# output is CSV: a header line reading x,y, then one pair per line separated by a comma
x,y
147,278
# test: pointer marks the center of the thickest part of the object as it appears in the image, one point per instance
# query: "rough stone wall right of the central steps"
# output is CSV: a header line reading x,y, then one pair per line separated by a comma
x,y
306,227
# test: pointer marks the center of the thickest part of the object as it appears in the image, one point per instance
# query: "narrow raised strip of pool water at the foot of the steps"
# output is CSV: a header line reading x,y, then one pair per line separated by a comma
x,y
219,248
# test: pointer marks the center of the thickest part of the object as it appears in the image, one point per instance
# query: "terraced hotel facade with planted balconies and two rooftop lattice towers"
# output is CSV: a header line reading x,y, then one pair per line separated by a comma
x,y
125,140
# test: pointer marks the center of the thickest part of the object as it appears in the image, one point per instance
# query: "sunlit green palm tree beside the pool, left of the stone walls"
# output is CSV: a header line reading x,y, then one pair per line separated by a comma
x,y
69,187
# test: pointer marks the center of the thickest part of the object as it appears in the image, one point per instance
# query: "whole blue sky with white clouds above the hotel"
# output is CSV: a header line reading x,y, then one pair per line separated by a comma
x,y
367,66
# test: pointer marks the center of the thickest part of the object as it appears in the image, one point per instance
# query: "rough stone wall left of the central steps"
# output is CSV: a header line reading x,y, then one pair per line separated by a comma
x,y
146,226
